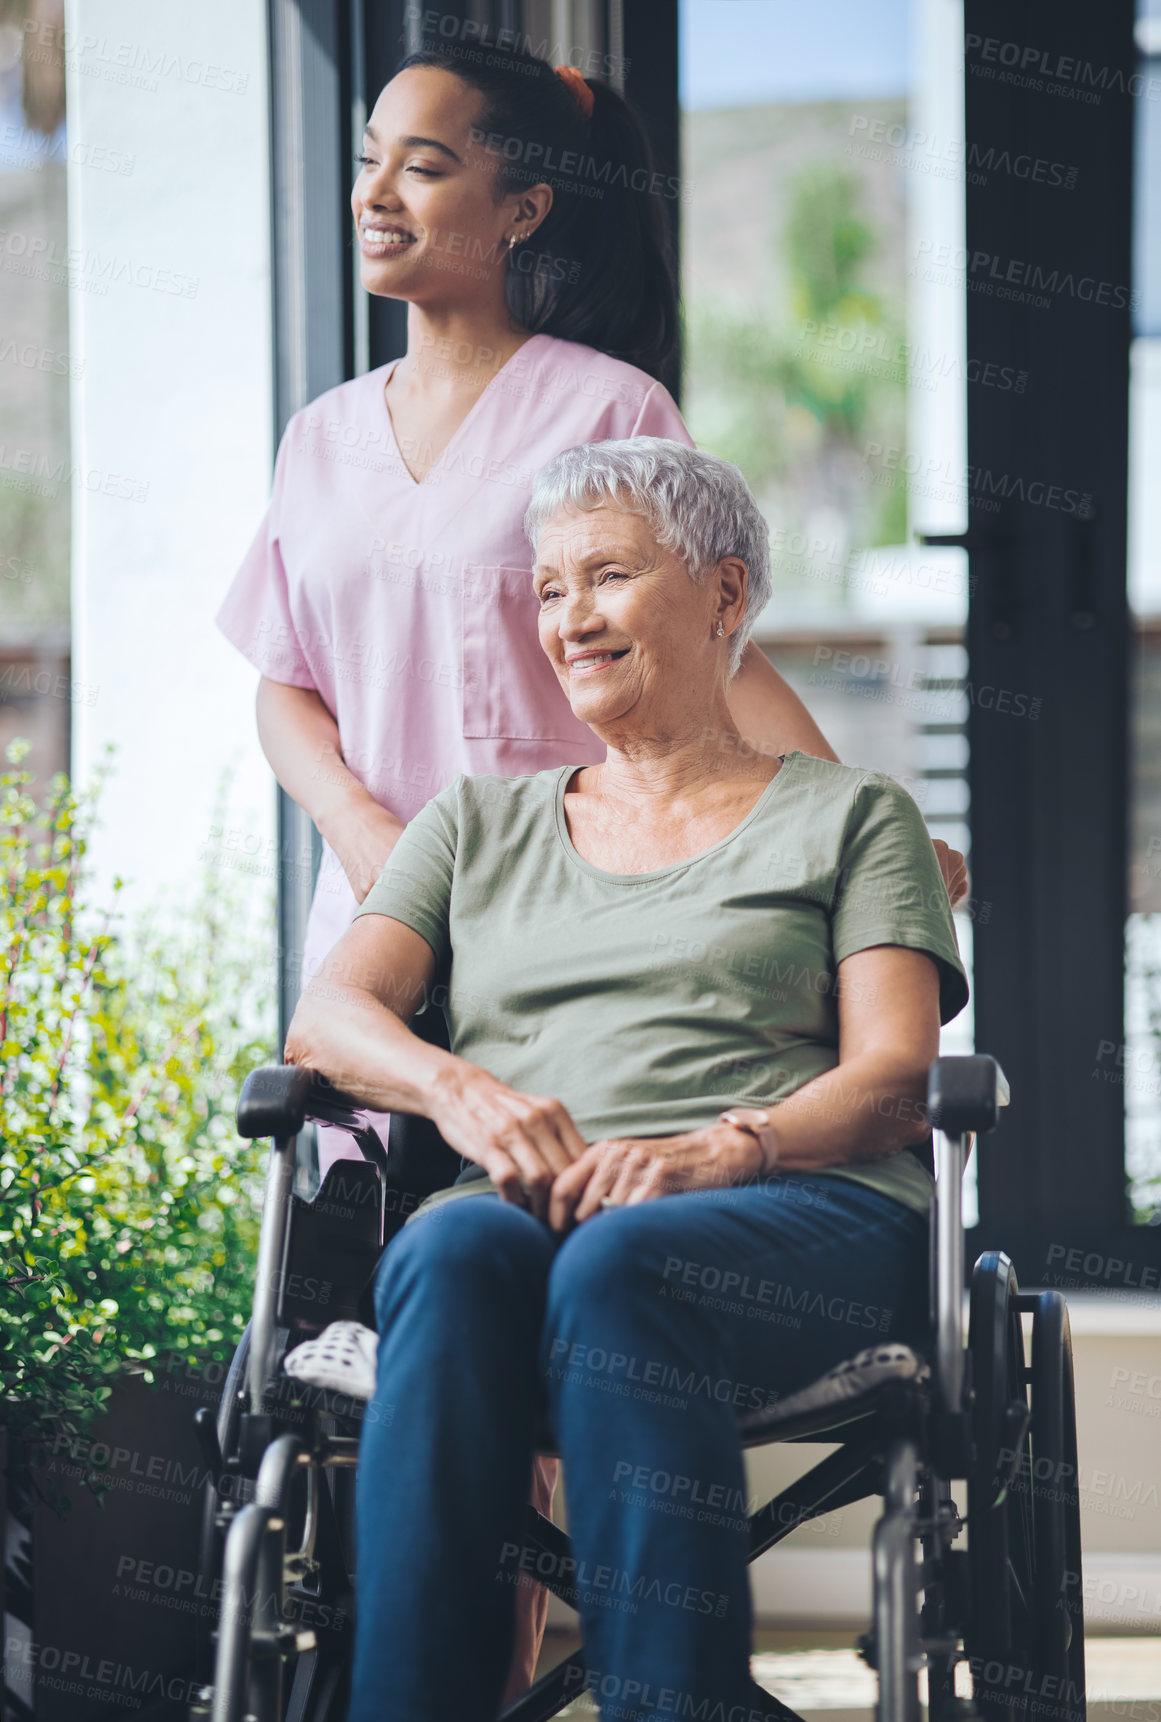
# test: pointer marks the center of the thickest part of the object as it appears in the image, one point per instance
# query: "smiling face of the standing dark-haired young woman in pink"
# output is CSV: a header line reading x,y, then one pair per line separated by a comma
x,y
426,223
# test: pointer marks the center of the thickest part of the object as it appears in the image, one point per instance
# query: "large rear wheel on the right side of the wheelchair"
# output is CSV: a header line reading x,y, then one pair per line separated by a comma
x,y
1026,1637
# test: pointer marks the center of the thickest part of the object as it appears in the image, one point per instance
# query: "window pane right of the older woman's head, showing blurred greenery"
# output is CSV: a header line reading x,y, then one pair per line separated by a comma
x,y
828,362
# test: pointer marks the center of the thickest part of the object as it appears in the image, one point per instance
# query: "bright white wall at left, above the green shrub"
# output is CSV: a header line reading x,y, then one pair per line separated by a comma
x,y
171,416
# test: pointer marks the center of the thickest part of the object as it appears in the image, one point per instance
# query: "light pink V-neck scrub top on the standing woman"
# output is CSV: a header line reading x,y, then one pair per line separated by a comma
x,y
407,607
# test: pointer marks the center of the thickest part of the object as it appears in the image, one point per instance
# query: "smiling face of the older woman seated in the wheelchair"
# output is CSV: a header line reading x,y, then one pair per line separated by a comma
x,y
628,633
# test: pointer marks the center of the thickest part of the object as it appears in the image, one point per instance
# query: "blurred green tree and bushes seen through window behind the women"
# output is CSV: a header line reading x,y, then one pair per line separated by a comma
x,y
795,393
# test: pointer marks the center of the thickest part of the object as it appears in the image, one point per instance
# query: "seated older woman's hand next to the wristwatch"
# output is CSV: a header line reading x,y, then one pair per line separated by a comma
x,y
621,1170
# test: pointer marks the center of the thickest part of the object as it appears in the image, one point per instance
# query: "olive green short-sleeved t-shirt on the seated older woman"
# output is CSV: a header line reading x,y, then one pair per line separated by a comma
x,y
647,1003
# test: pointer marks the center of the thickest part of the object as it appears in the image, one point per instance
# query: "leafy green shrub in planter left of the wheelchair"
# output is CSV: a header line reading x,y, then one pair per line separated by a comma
x,y
128,1215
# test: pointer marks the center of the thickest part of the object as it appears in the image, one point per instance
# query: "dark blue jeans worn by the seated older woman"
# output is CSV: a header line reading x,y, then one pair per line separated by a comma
x,y
645,1334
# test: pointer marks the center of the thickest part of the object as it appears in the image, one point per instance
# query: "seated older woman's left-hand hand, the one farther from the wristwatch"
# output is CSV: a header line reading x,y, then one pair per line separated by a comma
x,y
523,1141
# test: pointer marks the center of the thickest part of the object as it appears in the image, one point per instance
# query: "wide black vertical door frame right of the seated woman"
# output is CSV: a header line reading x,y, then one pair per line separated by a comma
x,y
1048,280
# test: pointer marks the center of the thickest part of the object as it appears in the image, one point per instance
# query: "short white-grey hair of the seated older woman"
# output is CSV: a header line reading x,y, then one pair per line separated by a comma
x,y
697,505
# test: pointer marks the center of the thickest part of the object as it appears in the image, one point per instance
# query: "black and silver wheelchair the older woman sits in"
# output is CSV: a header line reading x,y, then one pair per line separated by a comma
x,y
280,1523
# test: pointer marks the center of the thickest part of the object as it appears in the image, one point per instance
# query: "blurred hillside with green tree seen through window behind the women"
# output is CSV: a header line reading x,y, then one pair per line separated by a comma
x,y
793,251
